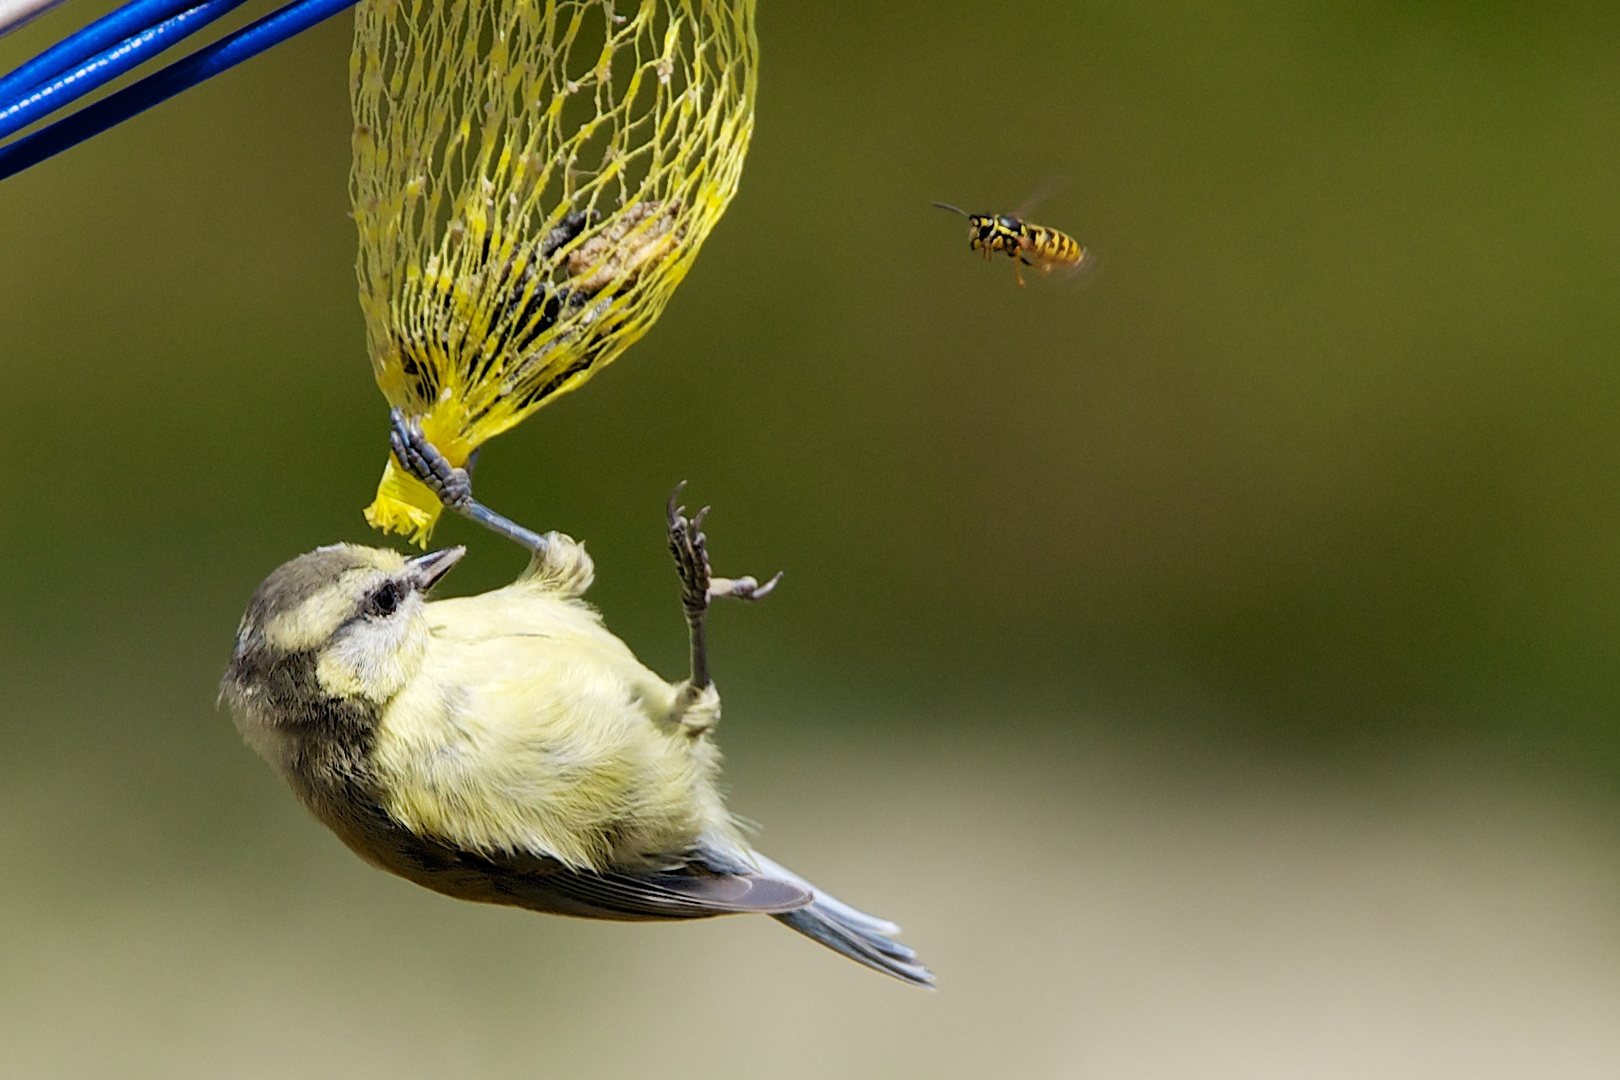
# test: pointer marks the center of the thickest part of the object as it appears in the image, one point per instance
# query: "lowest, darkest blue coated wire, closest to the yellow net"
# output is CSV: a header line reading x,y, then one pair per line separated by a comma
x,y
182,75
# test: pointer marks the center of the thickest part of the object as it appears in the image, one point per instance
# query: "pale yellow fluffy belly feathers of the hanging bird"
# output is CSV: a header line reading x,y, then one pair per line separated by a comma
x,y
532,729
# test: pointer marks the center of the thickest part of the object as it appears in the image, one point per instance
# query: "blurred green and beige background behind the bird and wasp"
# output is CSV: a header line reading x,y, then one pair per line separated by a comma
x,y
1213,668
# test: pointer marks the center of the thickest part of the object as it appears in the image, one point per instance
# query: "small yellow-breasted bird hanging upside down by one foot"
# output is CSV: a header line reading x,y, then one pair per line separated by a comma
x,y
506,747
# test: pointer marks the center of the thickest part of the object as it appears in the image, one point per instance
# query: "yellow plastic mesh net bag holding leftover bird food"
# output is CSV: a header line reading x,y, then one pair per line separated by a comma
x,y
532,181
